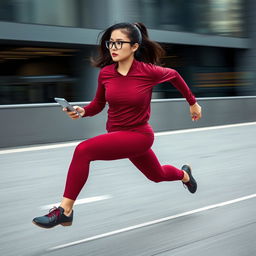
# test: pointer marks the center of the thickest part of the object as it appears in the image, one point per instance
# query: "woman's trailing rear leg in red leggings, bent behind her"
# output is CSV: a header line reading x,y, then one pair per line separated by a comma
x,y
149,165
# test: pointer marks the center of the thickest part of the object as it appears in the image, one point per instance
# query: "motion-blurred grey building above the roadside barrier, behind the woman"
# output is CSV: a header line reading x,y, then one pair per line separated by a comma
x,y
46,45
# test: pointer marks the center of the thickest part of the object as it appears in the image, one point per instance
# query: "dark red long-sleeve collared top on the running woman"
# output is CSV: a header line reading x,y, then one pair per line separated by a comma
x,y
129,96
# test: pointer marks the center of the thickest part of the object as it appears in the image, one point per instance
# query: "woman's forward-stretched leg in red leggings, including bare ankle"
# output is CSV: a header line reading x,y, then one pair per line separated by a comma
x,y
110,146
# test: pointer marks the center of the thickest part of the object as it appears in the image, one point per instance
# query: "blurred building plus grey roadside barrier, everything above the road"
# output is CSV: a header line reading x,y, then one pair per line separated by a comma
x,y
46,46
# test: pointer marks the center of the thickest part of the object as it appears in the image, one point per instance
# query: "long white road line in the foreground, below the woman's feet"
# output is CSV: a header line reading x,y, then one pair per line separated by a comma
x,y
152,222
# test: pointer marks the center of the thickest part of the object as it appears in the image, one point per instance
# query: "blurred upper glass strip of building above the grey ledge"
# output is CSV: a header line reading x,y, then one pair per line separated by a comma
x,y
220,17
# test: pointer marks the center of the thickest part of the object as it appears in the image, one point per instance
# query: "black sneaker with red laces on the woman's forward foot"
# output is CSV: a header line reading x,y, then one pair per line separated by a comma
x,y
53,218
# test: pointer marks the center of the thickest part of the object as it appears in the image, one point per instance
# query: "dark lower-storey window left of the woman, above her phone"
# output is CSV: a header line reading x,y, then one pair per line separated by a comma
x,y
37,74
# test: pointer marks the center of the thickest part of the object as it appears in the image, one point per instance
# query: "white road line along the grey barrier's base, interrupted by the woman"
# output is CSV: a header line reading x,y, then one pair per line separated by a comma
x,y
71,144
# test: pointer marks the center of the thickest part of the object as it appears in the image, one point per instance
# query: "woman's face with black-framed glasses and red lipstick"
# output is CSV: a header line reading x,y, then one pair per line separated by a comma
x,y
121,51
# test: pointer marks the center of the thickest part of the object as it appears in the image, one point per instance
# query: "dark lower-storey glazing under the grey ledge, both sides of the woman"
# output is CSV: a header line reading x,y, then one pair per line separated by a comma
x,y
38,74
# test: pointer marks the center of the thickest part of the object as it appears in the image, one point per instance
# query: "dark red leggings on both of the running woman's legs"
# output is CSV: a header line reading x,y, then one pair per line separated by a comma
x,y
117,145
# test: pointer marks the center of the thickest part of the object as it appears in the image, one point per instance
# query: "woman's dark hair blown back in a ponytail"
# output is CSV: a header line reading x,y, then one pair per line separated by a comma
x,y
148,51
